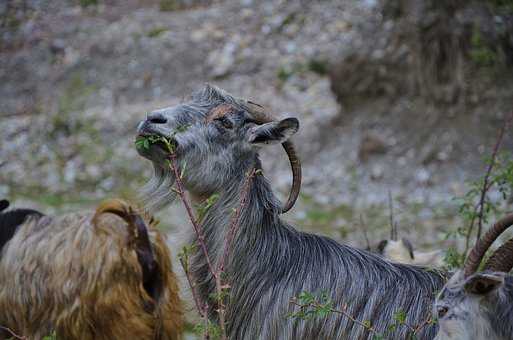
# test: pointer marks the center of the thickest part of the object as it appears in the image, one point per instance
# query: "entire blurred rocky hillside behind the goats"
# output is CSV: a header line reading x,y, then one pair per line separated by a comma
x,y
400,101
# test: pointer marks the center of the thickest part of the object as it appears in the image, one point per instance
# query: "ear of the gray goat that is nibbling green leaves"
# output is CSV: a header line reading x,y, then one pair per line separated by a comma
x,y
273,132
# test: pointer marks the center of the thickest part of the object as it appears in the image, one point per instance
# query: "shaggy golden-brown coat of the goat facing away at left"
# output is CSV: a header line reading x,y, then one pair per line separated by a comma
x,y
79,275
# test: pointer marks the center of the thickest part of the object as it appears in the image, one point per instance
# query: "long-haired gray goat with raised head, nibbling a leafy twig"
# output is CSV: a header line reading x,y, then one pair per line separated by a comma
x,y
218,137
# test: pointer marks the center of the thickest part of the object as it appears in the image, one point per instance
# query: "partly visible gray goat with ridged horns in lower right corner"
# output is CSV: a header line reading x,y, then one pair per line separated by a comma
x,y
479,305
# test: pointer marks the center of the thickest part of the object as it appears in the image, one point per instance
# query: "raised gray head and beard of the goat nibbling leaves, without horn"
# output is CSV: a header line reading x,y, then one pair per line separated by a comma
x,y
215,136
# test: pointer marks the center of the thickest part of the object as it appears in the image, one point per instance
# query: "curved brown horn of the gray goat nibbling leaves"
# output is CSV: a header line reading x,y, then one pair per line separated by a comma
x,y
295,165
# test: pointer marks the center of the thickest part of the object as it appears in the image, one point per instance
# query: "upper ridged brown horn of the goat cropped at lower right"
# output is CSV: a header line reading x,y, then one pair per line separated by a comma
x,y
481,246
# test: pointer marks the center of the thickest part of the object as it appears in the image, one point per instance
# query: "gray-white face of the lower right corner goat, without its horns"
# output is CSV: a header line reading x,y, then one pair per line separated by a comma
x,y
467,306
